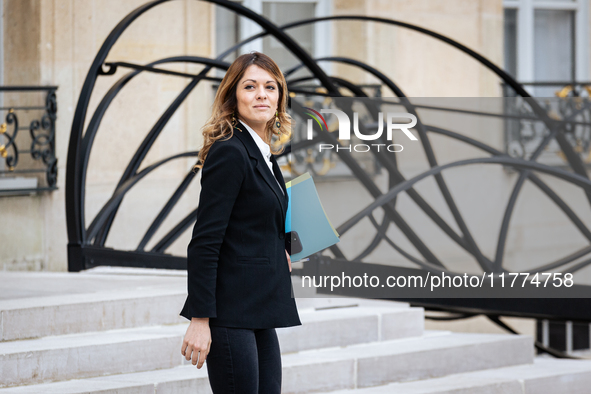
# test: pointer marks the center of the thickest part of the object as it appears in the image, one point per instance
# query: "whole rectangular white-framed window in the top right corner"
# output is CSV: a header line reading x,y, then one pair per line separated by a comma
x,y
547,42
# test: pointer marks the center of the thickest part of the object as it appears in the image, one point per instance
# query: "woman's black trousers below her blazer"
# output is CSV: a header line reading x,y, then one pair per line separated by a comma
x,y
244,361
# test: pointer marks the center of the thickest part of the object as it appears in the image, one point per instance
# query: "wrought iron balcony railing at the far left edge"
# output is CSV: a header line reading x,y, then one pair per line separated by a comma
x,y
27,139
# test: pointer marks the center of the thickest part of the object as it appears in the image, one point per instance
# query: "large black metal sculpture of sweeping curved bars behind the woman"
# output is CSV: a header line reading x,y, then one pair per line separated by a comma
x,y
86,246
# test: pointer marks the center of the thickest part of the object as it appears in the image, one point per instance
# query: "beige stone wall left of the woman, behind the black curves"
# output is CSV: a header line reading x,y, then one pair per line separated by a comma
x,y
53,42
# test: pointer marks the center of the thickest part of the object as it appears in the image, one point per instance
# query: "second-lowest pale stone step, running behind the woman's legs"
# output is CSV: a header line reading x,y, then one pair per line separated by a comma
x,y
361,365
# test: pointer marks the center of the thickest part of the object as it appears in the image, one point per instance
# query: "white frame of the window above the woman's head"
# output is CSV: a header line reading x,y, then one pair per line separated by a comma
x,y
322,33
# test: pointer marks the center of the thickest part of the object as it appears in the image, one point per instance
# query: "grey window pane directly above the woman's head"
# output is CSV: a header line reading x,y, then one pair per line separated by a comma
x,y
281,13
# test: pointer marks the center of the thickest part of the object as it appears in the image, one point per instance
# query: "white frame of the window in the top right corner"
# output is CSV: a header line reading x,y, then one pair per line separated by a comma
x,y
525,35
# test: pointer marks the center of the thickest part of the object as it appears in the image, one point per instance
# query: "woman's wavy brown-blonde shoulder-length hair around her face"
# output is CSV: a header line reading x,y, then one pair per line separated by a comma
x,y
225,104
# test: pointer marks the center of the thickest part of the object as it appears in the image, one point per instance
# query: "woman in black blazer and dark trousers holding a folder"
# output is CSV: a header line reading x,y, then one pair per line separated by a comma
x,y
239,281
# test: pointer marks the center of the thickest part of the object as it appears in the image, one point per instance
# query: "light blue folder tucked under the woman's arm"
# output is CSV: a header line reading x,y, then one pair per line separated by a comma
x,y
306,216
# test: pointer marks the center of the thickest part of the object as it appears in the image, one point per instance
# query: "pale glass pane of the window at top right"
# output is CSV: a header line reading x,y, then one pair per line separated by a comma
x,y
553,48
